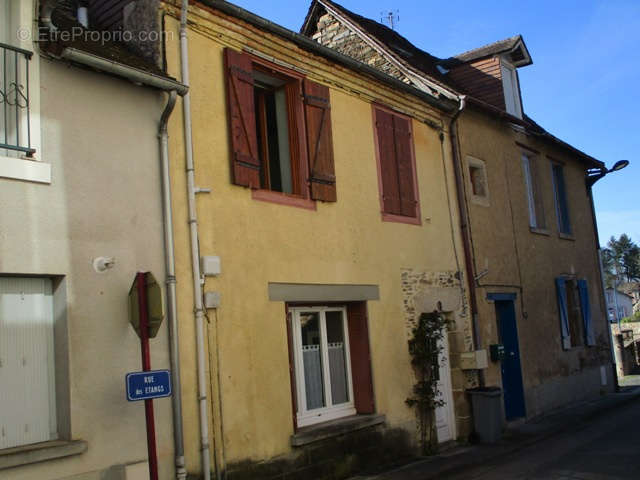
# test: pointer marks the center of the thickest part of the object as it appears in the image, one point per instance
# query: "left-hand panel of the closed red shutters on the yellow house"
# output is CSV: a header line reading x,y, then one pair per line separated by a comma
x,y
388,164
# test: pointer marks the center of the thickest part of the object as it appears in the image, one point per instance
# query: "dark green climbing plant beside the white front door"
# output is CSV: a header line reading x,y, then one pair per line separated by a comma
x,y
425,347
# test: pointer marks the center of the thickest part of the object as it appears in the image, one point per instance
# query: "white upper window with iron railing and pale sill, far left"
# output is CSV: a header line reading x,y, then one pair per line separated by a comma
x,y
20,138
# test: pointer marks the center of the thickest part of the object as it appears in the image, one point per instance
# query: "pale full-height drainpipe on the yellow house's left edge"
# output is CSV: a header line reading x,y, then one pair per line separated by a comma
x,y
195,254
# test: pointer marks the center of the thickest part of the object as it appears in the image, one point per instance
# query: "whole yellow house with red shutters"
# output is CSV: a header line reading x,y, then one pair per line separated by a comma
x,y
322,195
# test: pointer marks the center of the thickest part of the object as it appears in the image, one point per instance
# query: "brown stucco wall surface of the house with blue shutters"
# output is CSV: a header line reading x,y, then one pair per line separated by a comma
x,y
513,259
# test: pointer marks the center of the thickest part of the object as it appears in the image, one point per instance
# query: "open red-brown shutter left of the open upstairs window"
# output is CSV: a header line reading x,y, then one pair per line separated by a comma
x,y
245,160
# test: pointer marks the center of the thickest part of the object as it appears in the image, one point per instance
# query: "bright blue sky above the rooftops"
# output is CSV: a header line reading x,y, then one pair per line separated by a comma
x,y
581,86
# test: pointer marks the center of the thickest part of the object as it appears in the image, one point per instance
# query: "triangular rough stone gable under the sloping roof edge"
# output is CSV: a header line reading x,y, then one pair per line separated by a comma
x,y
331,33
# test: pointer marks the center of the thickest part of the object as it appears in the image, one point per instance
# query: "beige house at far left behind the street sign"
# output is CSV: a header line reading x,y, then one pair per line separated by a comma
x,y
80,188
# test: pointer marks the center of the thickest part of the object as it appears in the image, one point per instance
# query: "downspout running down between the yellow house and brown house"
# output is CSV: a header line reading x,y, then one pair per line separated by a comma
x,y
465,229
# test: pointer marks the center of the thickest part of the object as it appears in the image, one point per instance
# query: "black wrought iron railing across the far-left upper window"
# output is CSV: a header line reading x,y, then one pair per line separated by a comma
x,y
15,121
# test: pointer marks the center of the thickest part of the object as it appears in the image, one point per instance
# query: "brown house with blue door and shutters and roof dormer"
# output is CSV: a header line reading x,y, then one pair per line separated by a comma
x,y
527,218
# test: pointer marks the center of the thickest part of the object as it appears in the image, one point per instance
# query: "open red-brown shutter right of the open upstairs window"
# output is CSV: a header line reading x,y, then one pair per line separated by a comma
x,y
319,142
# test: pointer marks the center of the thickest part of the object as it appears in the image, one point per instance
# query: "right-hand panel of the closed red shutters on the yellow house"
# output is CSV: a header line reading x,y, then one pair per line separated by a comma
x,y
404,159
